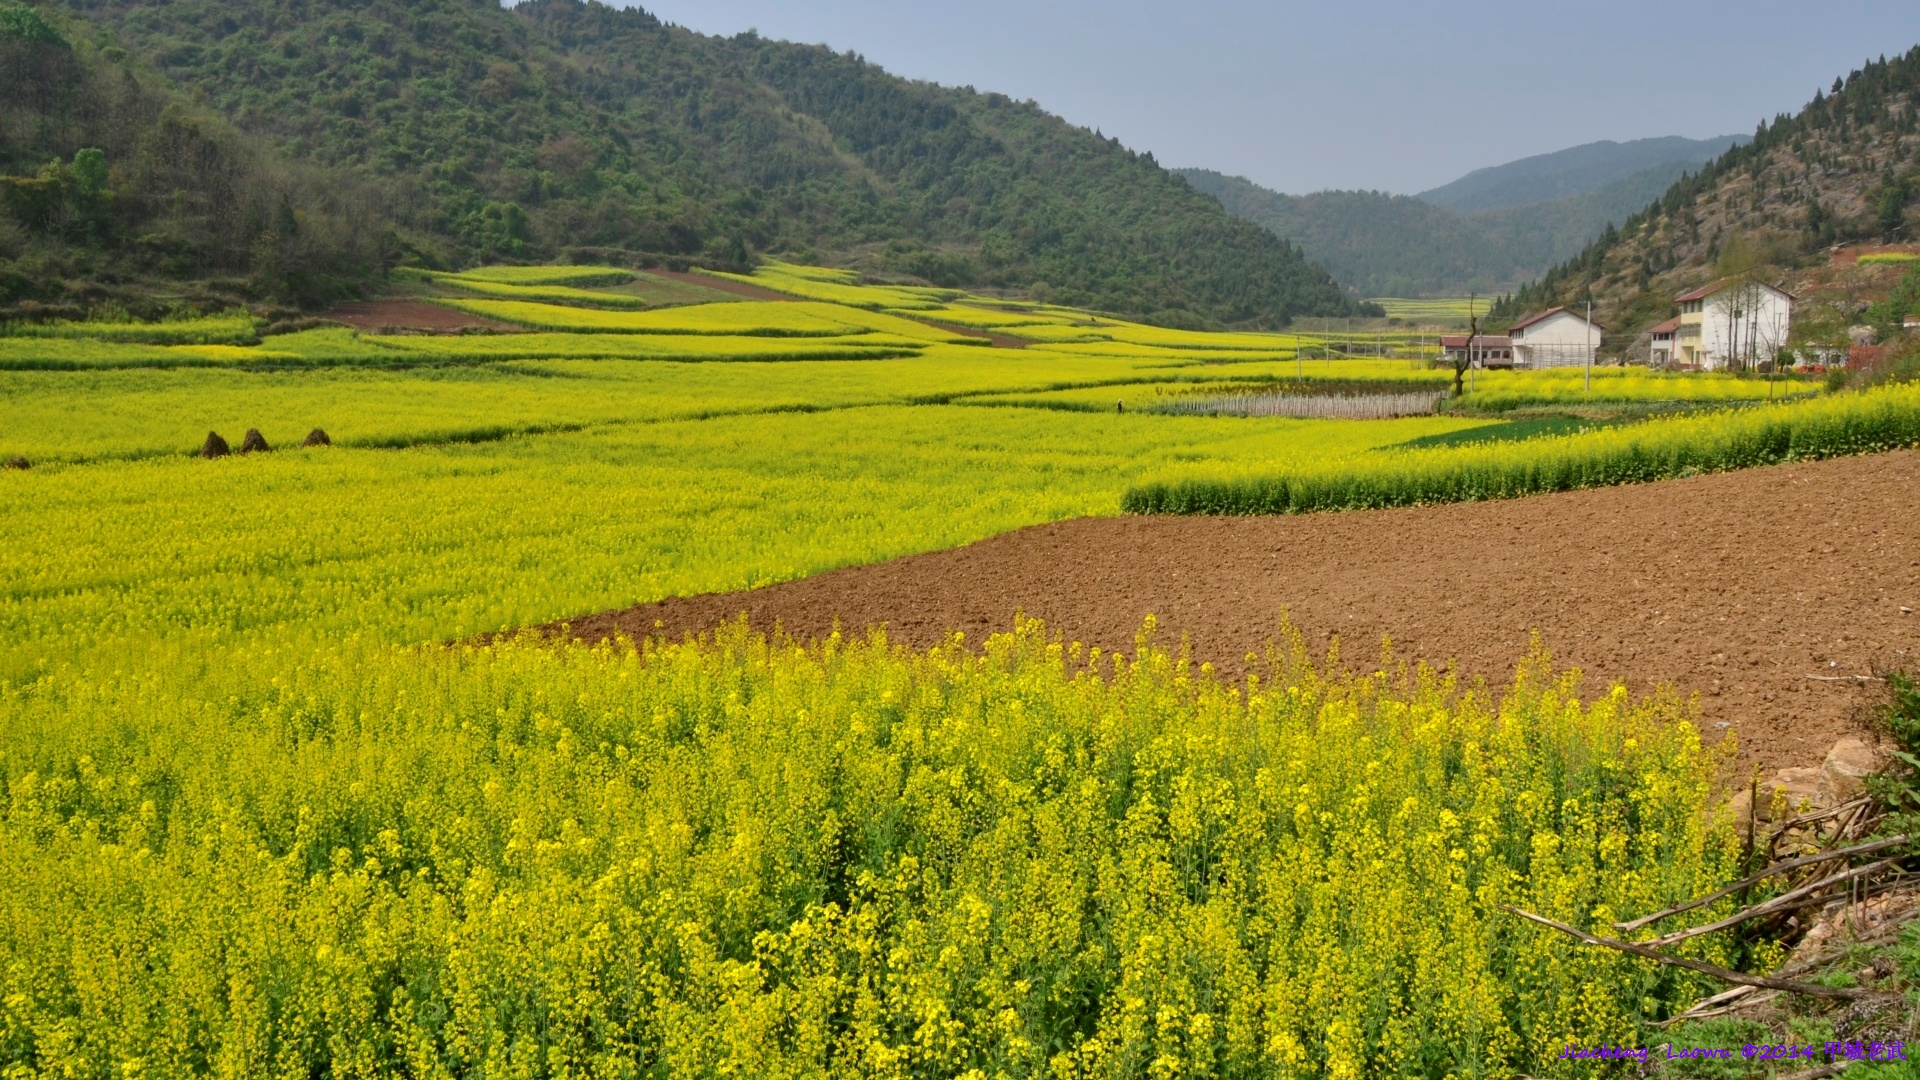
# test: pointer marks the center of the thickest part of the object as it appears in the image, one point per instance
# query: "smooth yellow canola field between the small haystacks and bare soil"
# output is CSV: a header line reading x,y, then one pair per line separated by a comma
x,y
473,537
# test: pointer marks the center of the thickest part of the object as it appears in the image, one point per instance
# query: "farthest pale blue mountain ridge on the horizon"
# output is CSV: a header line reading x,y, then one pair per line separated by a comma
x,y
1577,170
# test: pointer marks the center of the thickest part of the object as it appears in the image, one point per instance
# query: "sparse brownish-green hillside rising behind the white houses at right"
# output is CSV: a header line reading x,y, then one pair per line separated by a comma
x,y
1844,170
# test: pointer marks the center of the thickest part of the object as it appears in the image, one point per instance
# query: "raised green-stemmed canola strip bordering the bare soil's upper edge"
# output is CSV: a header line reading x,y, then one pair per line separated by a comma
x,y
1764,435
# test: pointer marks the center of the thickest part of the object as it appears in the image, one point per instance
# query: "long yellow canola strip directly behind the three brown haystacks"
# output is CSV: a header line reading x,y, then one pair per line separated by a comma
x,y
145,414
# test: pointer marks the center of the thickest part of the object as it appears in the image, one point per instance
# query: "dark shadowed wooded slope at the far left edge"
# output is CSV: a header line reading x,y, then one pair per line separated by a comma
x,y
114,189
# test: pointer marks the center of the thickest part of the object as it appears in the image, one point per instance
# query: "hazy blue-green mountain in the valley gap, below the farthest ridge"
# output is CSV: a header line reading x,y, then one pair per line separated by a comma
x,y
1408,247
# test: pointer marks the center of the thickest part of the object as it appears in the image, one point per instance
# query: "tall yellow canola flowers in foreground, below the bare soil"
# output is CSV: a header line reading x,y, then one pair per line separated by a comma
x,y
756,860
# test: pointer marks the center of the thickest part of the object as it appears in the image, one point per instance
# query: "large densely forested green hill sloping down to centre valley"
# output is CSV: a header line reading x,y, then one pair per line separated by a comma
x,y
579,132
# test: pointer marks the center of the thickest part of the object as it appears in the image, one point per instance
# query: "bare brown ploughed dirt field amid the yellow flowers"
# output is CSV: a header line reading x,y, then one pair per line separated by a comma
x,y
1733,587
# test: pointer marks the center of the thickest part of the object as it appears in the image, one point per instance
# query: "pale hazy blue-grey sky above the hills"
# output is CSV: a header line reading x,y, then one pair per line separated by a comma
x,y
1351,95
